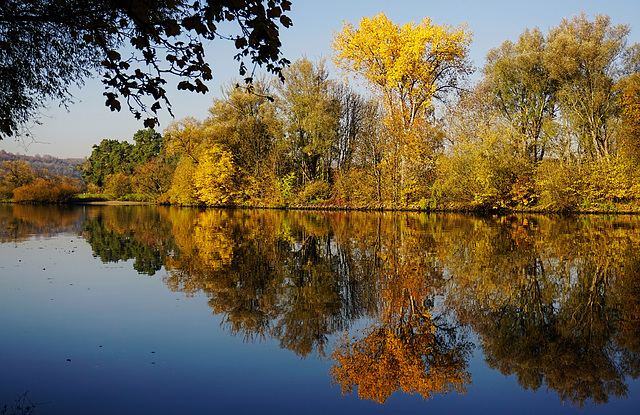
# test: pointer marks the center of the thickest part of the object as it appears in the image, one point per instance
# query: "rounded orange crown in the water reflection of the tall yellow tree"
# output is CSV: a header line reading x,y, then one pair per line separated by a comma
x,y
417,356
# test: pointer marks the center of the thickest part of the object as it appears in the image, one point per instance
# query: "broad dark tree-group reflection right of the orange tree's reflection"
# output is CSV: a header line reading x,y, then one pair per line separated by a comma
x,y
552,301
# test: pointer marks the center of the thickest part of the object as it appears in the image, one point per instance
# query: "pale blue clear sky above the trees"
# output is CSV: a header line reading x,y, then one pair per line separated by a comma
x,y
72,133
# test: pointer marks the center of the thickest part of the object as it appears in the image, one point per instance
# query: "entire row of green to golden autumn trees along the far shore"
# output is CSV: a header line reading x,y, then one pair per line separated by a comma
x,y
551,123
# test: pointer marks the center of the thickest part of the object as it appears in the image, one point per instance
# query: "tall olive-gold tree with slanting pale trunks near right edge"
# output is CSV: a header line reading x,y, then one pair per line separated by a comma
x,y
586,57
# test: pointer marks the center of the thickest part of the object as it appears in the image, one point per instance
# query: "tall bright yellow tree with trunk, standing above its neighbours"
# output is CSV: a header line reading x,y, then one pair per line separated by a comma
x,y
409,66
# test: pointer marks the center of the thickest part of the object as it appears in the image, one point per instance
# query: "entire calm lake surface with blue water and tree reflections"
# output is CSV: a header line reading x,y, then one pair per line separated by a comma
x,y
154,310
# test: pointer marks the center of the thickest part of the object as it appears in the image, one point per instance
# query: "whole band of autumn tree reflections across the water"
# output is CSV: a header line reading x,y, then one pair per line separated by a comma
x,y
555,301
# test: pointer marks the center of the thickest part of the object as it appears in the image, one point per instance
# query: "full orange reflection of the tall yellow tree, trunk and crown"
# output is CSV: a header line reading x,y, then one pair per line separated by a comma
x,y
410,350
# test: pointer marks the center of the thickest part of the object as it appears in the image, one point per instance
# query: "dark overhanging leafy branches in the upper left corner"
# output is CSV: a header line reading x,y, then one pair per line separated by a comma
x,y
47,46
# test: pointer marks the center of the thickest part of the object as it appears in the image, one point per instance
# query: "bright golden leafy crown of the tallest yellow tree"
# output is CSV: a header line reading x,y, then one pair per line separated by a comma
x,y
411,61
